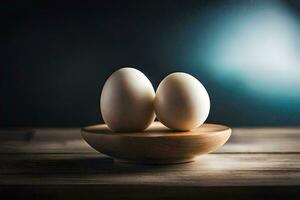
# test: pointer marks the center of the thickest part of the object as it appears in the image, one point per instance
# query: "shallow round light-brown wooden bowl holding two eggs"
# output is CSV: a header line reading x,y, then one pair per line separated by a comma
x,y
157,144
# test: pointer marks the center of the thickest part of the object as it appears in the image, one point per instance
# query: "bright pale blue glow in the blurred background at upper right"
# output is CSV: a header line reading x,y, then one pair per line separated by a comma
x,y
258,45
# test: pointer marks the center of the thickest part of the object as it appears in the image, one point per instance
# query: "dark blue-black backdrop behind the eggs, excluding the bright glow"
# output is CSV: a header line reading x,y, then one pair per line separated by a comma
x,y
56,56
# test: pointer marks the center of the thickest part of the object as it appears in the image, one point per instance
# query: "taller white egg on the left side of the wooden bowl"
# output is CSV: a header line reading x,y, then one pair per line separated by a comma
x,y
127,101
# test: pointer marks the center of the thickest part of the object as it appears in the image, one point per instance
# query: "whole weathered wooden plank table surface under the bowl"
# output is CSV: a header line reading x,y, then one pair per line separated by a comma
x,y
56,163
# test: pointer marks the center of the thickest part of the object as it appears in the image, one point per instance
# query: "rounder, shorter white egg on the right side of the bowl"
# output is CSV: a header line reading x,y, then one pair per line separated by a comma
x,y
181,103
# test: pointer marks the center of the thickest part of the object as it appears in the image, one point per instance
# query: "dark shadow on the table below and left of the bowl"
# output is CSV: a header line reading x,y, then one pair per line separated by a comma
x,y
59,164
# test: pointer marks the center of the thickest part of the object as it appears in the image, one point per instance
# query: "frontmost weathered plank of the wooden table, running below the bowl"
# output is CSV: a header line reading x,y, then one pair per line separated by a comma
x,y
208,170
